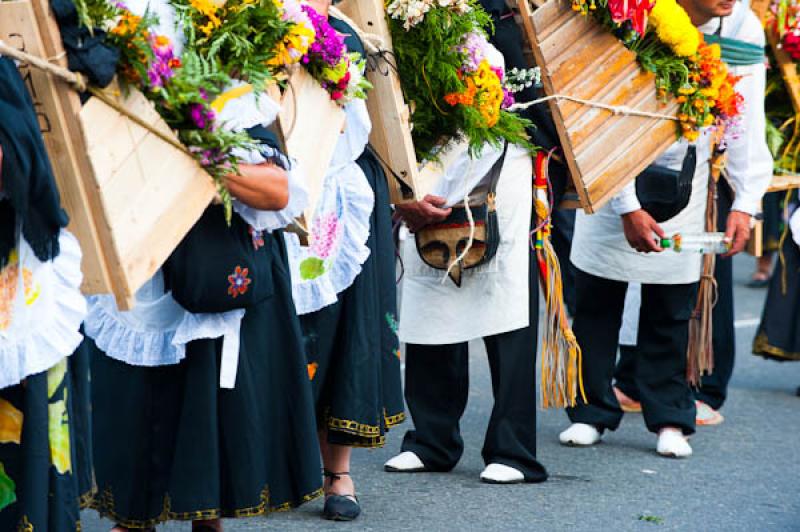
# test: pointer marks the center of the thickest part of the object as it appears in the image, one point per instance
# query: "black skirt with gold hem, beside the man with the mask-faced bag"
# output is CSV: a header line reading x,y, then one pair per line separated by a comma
x,y
352,345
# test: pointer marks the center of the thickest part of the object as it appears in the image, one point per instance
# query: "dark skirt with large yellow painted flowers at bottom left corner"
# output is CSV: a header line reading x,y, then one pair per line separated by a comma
x,y
41,451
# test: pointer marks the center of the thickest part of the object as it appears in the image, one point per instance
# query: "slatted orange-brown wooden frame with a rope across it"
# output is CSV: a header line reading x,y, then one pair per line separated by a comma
x,y
581,59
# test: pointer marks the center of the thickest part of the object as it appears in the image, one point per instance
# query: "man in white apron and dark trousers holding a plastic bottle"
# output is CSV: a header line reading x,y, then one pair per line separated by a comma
x,y
606,263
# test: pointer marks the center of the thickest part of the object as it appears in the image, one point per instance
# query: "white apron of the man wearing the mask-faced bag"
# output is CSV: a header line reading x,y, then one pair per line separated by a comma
x,y
493,298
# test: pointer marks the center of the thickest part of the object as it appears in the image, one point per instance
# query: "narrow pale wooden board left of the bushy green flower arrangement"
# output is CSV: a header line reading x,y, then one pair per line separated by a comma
x,y
391,125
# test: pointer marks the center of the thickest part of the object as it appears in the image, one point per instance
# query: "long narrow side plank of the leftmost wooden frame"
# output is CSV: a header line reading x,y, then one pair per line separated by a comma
x,y
54,102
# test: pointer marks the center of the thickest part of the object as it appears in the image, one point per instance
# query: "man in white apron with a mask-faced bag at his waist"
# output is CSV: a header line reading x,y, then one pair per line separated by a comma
x,y
494,300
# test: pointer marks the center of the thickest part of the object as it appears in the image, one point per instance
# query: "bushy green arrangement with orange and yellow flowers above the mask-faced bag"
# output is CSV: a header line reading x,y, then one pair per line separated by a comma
x,y
443,60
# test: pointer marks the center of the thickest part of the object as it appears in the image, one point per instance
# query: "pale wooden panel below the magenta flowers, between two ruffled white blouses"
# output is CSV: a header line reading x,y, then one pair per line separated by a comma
x,y
312,124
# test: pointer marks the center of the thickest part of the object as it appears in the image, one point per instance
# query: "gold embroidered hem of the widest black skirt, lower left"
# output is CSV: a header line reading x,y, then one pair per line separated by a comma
x,y
104,505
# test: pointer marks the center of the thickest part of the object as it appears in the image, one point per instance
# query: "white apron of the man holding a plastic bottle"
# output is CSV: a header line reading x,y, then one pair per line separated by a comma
x,y
599,246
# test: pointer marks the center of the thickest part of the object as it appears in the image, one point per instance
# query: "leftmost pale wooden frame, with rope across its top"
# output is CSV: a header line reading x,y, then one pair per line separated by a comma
x,y
131,196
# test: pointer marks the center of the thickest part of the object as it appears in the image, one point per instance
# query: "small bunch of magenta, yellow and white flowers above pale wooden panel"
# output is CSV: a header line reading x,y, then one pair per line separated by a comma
x,y
339,72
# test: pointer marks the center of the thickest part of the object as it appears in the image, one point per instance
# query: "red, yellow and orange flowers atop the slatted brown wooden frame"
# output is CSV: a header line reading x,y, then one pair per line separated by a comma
x,y
668,44
